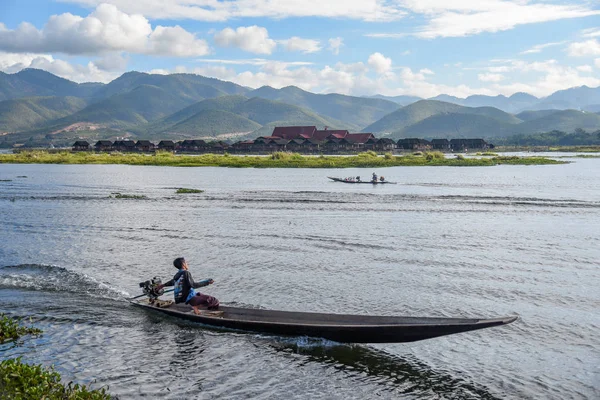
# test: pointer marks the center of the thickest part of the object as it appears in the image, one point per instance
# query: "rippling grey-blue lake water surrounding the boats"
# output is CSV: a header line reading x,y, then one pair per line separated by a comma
x,y
450,242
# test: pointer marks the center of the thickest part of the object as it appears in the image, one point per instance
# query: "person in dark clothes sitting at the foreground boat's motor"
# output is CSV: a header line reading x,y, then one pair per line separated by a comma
x,y
185,288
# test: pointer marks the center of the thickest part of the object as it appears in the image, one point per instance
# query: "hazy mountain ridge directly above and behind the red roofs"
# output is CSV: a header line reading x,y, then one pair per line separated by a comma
x,y
354,111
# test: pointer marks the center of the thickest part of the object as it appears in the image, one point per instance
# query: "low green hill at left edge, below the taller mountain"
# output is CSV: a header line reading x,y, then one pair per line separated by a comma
x,y
27,113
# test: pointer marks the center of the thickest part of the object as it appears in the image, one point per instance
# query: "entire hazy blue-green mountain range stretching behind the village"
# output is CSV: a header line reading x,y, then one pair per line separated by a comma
x,y
39,108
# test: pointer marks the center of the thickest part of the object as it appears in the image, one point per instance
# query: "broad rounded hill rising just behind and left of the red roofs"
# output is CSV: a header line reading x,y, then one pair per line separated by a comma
x,y
236,114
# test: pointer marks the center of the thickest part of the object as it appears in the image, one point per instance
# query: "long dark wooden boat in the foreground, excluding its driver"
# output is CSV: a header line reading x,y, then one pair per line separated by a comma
x,y
341,328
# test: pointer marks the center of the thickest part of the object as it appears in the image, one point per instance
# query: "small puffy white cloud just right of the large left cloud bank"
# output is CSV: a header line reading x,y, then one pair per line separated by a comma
x,y
253,39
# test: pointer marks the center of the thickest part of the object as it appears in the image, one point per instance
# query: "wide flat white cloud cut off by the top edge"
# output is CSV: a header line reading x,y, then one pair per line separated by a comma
x,y
212,10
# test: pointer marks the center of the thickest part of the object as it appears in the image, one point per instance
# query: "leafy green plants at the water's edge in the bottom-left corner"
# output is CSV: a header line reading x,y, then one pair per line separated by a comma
x,y
19,380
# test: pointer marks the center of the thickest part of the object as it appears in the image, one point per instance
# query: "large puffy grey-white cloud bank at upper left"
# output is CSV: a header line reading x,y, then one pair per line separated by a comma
x,y
106,29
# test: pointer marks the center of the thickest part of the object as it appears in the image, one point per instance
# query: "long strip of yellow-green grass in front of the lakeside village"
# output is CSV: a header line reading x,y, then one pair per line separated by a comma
x,y
368,159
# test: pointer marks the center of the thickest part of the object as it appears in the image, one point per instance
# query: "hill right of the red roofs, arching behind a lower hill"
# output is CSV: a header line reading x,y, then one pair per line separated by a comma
x,y
394,123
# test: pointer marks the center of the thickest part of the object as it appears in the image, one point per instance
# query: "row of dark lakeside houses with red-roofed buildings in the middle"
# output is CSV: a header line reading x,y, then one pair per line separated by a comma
x,y
297,139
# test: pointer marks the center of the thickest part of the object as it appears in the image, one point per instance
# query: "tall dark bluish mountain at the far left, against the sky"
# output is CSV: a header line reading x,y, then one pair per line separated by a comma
x,y
35,82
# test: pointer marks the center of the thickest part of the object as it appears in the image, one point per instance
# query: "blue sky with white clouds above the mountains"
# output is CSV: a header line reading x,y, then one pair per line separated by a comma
x,y
356,47
